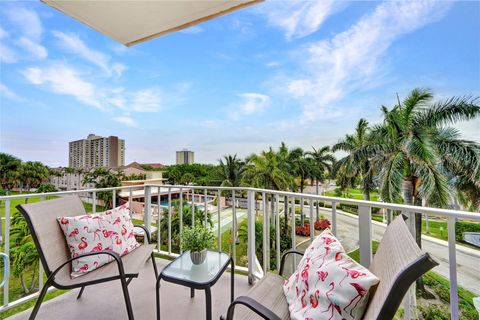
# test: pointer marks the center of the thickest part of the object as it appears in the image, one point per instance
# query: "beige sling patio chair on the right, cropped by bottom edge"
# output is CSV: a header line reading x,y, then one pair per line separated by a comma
x,y
397,263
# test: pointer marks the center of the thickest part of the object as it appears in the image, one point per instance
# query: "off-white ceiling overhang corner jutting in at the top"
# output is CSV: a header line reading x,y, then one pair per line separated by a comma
x,y
131,22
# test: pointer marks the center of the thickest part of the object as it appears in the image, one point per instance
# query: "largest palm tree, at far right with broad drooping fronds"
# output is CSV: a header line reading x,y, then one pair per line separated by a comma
x,y
413,149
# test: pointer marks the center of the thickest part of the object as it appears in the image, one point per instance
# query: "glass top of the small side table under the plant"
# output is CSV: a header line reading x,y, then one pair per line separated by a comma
x,y
182,268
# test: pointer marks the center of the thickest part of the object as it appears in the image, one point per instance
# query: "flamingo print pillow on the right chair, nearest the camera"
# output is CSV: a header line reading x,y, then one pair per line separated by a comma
x,y
327,283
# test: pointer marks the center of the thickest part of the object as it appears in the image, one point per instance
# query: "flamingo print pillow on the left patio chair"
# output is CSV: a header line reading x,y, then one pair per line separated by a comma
x,y
110,230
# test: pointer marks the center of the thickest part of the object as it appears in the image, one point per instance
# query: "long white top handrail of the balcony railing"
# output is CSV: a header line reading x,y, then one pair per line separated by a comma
x,y
375,204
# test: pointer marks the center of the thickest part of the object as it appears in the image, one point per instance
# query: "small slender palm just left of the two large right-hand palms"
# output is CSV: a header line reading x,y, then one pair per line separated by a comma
x,y
323,162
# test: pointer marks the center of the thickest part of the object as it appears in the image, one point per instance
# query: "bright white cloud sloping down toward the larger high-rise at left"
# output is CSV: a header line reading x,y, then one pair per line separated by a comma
x,y
63,79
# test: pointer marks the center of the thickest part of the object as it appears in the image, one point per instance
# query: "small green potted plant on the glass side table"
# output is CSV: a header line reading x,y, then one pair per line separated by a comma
x,y
197,240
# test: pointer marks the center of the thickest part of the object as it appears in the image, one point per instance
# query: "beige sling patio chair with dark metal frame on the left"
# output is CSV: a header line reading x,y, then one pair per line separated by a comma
x,y
55,257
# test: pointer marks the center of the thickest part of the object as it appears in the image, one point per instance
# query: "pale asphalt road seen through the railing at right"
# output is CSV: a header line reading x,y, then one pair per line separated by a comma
x,y
468,263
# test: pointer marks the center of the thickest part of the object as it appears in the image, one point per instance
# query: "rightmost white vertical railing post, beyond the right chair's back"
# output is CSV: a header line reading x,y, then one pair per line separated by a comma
x,y
452,261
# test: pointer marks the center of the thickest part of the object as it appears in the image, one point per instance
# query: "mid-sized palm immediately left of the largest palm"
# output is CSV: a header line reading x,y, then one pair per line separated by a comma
x,y
355,163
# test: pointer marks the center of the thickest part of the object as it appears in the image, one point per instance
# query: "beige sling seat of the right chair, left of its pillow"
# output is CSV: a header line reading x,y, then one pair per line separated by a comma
x,y
268,292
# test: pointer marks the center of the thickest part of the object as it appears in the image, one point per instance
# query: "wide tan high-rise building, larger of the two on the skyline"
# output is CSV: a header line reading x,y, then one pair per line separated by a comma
x,y
96,151
